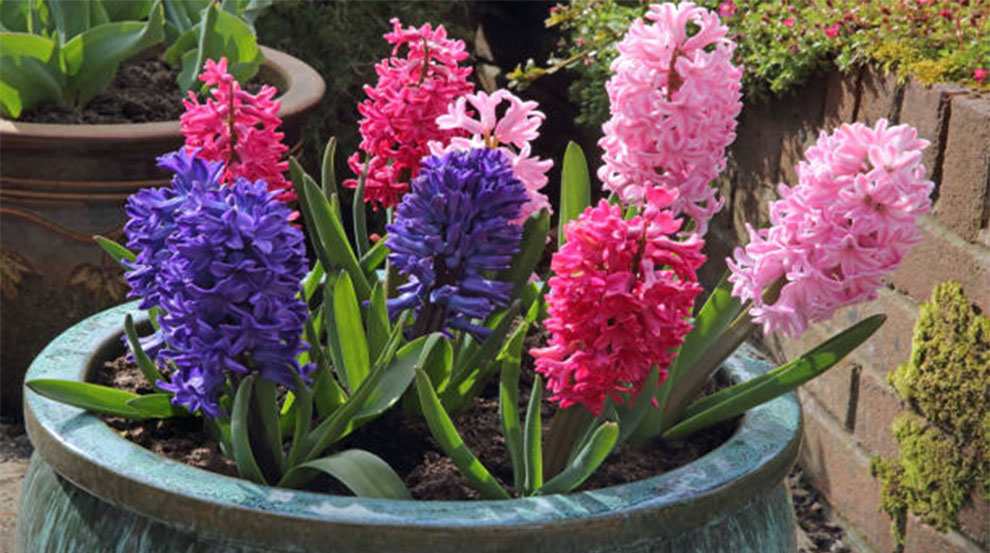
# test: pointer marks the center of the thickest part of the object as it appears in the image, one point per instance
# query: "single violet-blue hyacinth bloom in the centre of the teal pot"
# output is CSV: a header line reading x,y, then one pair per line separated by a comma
x,y
452,227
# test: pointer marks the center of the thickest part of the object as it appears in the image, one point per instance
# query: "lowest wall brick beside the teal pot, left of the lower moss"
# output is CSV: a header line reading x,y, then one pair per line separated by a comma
x,y
841,472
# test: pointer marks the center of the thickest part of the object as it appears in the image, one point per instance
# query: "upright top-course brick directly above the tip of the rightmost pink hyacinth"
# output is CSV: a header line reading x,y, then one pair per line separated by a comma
x,y
926,109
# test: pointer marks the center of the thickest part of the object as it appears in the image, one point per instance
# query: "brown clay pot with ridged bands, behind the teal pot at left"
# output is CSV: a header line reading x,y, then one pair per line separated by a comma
x,y
60,185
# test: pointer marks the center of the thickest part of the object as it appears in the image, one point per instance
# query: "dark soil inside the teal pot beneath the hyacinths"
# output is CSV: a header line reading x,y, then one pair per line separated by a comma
x,y
404,441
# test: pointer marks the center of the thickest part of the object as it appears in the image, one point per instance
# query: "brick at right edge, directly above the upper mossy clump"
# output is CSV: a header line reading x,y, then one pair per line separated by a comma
x,y
944,256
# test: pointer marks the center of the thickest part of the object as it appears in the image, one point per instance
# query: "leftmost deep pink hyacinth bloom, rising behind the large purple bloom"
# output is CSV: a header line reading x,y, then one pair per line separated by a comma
x,y
239,129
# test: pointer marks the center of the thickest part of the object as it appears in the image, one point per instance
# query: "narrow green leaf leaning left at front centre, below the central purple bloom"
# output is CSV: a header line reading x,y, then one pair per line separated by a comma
x,y
450,441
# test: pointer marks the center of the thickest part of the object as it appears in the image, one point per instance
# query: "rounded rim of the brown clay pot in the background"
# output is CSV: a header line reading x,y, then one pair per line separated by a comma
x,y
303,86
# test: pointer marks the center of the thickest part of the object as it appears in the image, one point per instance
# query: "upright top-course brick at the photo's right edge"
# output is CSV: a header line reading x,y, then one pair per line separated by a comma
x,y
965,184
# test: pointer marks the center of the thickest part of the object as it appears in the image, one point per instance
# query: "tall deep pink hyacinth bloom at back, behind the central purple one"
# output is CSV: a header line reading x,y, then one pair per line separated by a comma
x,y
399,116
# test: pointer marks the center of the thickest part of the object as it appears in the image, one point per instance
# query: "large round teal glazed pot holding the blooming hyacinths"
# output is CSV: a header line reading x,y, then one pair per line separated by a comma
x,y
89,490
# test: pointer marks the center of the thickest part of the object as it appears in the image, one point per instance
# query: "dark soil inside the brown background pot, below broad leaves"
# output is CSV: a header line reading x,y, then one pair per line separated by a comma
x,y
143,90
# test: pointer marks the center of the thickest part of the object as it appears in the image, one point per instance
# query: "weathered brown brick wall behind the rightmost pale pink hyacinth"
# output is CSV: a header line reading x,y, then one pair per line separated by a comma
x,y
849,410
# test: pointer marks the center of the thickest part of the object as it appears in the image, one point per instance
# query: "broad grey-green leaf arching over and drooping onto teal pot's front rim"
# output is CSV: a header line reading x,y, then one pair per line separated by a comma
x,y
364,473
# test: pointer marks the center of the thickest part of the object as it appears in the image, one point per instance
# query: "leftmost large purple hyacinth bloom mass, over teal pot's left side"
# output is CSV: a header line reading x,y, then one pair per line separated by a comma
x,y
227,275
